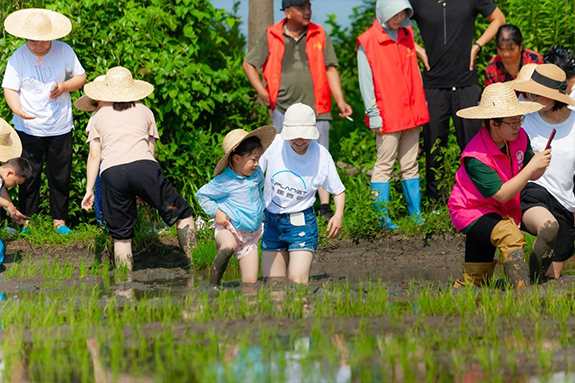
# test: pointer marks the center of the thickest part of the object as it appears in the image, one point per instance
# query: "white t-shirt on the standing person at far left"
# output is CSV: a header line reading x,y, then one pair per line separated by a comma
x,y
32,77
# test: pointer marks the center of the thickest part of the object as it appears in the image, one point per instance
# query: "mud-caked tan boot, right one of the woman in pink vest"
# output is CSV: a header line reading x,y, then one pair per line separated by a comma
x,y
507,237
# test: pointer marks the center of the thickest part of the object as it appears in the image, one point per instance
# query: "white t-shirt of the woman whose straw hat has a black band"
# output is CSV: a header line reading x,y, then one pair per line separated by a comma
x,y
558,178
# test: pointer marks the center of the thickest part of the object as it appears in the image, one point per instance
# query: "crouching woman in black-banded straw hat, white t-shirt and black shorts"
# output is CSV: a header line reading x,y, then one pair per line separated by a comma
x,y
548,204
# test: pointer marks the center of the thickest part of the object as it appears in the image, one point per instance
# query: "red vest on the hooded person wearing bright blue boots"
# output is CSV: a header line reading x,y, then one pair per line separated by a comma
x,y
397,82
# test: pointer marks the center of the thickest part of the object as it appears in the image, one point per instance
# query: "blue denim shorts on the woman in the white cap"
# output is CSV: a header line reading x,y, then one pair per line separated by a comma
x,y
281,235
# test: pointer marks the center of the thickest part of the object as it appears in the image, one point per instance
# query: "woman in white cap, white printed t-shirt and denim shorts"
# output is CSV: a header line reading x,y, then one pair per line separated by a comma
x,y
296,166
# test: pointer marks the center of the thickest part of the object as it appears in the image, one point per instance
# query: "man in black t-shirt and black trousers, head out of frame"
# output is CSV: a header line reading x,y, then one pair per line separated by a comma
x,y
450,80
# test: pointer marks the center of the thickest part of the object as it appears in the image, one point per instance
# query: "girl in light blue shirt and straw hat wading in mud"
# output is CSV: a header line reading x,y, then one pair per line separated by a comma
x,y
234,198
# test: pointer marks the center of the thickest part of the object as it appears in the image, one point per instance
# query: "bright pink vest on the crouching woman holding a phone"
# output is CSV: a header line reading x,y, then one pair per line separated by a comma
x,y
466,204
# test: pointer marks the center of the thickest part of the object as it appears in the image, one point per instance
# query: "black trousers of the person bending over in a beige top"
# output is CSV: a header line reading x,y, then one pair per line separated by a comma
x,y
120,186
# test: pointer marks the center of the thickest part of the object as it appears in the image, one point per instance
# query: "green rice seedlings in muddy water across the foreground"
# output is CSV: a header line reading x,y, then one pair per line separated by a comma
x,y
432,333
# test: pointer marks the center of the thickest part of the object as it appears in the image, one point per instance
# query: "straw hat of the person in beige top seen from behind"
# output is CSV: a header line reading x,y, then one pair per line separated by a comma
x,y
118,86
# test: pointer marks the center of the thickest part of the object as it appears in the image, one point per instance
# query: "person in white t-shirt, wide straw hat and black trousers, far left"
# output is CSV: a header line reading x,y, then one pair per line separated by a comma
x,y
37,83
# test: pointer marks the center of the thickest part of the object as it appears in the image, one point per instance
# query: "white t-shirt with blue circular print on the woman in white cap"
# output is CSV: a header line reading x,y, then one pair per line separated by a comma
x,y
292,179
